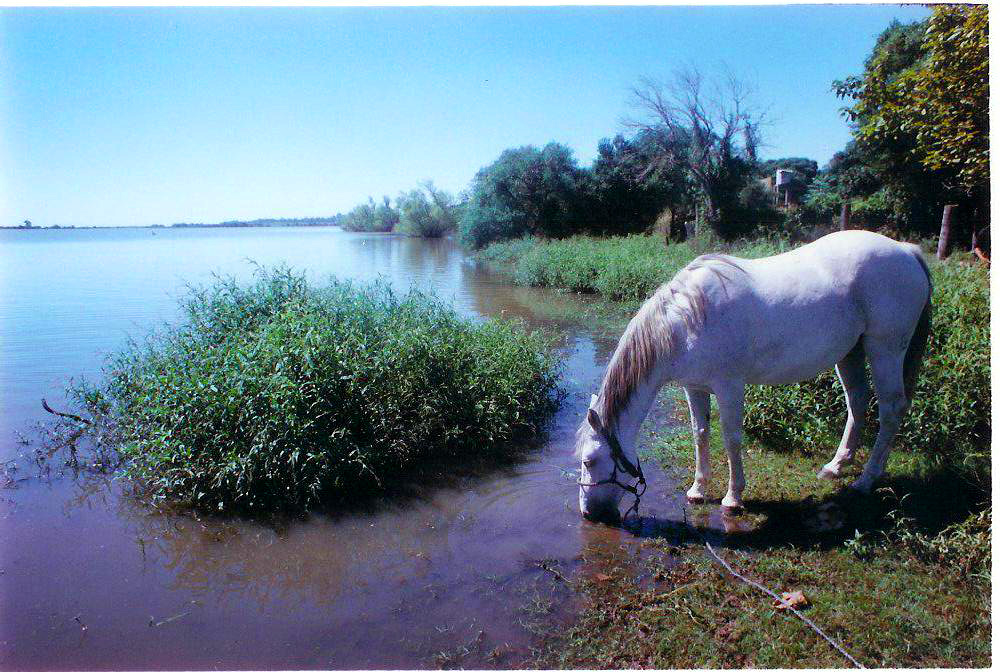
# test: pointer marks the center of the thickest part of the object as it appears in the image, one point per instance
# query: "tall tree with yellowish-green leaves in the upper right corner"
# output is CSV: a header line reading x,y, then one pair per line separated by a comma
x,y
921,109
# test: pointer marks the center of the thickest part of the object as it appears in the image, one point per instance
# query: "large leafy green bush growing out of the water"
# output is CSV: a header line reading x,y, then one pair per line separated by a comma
x,y
281,395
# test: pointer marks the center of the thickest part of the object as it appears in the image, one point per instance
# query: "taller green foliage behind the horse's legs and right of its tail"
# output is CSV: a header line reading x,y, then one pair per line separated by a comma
x,y
949,421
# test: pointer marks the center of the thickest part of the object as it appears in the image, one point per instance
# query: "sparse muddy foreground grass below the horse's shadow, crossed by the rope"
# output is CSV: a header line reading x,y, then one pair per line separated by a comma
x,y
890,611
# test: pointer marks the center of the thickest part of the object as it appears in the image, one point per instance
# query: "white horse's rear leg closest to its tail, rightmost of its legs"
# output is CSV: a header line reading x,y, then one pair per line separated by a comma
x,y
887,372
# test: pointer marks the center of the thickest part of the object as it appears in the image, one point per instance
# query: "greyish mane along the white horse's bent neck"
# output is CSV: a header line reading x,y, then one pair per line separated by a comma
x,y
654,332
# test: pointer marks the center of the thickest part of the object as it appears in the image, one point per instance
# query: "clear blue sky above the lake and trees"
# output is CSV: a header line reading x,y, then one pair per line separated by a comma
x,y
140,116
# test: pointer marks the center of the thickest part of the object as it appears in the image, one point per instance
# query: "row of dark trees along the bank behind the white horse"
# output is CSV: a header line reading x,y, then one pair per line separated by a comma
x,y
918,115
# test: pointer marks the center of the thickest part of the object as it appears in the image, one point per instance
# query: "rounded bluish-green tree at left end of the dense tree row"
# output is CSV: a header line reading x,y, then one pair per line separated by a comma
x,y
525,191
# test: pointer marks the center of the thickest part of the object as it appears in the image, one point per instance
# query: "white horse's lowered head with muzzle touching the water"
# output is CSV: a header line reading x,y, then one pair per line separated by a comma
x,y
600,492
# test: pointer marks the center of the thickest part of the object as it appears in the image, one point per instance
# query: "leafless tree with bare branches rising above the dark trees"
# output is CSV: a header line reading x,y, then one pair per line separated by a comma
x,y
711,131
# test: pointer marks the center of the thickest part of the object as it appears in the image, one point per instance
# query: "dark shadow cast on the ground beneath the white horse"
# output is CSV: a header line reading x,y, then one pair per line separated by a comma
x,y
929,503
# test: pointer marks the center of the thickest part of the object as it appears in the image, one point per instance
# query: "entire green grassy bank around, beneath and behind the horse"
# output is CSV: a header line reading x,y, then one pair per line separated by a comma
x,y
901,577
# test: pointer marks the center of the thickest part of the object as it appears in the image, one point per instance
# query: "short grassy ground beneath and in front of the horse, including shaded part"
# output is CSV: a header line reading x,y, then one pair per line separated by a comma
x,y
890,576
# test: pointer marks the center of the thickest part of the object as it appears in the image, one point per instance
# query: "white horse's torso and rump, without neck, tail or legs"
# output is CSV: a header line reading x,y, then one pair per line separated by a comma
x,y
786,317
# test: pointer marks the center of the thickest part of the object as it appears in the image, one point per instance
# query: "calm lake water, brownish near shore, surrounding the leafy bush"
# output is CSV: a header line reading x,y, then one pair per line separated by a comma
x,y
460,570
